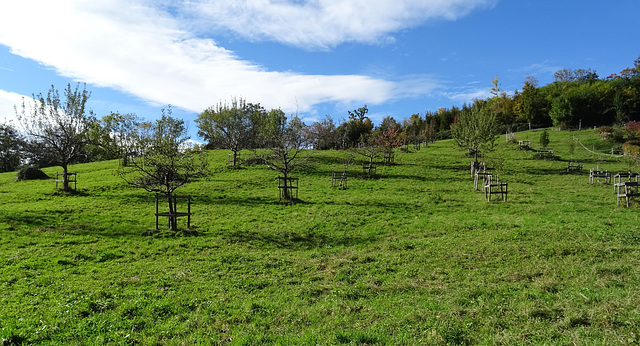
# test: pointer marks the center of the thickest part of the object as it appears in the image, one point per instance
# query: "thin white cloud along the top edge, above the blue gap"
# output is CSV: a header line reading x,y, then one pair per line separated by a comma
x,y
321,24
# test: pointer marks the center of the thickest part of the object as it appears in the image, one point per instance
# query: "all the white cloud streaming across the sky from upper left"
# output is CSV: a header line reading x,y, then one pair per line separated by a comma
x,y
149,52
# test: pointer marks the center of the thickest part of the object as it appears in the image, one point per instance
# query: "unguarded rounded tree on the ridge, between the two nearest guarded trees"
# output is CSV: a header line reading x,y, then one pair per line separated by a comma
x,y
231,127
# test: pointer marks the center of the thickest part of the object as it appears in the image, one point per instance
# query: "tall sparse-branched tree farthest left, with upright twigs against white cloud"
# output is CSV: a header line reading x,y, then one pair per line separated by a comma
x,y
58,127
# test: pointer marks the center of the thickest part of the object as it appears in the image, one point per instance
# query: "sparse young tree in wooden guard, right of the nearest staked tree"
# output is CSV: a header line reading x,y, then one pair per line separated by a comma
x,y
288,146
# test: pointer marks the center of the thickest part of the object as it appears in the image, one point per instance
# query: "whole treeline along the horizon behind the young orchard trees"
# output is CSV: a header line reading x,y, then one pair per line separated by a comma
x,y
575,99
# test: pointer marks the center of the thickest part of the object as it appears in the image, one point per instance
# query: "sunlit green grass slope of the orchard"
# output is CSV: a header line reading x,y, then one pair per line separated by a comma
x,y
414,257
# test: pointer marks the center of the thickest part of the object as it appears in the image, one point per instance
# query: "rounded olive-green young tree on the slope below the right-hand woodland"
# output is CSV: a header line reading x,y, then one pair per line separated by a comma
x,y
475,129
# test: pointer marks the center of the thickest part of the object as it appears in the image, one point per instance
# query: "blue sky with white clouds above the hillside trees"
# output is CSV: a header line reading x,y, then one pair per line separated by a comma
x,y
316,57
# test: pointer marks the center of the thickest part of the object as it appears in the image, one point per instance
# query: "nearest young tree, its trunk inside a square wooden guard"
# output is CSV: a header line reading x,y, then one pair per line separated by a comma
x,y
163,161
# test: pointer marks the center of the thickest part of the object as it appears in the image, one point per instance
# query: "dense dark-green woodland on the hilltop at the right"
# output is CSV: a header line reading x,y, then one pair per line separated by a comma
x,y
575,98
